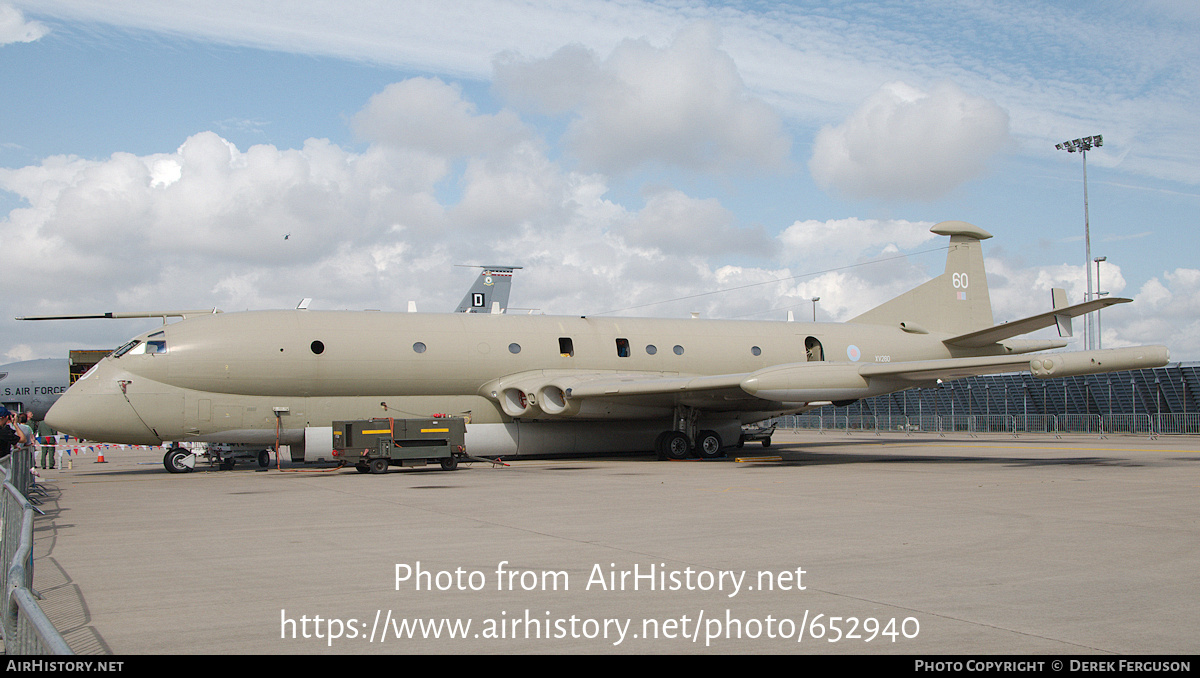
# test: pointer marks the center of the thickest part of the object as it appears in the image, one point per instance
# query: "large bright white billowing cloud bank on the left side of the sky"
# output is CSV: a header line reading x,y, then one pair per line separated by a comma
x,y
143,230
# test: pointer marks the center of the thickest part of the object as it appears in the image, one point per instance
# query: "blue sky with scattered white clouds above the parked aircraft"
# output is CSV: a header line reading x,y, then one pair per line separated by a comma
x,y
154,155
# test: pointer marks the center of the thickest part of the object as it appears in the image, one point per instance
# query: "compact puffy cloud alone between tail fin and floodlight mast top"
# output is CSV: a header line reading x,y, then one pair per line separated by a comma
x,y
908,145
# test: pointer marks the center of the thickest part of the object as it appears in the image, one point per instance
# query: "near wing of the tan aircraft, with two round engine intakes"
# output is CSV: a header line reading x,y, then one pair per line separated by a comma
x,y
562,394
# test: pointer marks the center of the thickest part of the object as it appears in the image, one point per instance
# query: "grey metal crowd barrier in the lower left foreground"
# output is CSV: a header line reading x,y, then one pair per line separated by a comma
x,y
27,629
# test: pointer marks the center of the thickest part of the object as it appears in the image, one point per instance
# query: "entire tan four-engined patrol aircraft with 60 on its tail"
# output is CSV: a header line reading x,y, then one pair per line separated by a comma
x,y
553,385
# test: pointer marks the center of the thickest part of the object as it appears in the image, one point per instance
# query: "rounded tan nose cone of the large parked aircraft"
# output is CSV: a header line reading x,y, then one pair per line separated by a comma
x,y
95,410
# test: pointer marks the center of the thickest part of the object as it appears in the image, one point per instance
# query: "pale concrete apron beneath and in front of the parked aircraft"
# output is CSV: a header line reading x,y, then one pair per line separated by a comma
x,y
968,545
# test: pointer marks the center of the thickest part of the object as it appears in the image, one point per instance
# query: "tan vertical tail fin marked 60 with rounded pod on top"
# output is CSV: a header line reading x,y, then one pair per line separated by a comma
x,y
955,303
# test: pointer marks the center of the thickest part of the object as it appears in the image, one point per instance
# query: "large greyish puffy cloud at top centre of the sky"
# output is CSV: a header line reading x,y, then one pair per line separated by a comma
x,y
685,105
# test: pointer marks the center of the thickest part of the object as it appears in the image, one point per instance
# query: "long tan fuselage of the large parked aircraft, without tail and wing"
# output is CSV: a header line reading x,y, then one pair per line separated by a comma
x,y
225,377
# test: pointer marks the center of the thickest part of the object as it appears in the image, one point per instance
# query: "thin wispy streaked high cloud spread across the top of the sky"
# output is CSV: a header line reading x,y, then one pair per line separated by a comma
x,y
1060,70
